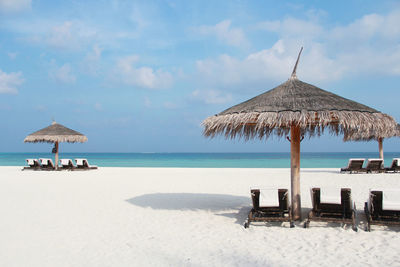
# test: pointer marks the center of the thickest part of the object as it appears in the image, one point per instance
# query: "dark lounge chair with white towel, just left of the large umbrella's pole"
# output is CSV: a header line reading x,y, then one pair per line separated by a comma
x,y
269,205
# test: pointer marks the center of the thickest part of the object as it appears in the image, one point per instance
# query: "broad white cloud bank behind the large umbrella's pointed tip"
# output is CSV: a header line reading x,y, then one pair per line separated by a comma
x,y
367,46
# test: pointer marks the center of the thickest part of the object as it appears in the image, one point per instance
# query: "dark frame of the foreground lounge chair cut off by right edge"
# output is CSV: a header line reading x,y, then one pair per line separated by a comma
x,y
376,215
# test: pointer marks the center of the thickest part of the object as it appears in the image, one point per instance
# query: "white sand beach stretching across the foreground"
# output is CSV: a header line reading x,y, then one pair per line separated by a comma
x,y
178,217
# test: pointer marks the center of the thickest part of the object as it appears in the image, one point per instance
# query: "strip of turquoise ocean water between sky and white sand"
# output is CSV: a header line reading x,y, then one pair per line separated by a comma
x,y
203,160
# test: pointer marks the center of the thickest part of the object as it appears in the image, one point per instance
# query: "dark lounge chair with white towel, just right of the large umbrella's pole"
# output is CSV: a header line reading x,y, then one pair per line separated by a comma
x,y
332,205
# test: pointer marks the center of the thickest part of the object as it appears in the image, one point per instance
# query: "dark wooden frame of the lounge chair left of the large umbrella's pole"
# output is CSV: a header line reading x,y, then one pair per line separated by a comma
x,y
281,213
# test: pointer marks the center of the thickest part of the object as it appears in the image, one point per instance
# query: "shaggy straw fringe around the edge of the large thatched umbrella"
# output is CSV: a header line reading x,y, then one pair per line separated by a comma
x,y
261,125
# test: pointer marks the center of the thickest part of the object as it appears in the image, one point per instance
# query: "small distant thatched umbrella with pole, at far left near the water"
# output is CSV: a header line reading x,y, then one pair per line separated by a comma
x,y
56,133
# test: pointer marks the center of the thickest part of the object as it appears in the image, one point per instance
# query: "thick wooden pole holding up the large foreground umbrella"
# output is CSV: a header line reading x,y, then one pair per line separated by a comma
x,y
295,171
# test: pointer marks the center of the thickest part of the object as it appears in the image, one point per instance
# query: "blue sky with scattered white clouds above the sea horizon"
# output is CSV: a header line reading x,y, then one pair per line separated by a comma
x,y
140,76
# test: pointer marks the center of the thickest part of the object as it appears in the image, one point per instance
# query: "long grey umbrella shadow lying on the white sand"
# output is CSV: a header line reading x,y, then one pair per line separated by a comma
x,y
190,201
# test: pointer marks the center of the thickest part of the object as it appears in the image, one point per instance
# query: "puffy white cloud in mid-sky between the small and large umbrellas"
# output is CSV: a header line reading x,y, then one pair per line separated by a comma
x,y
144,77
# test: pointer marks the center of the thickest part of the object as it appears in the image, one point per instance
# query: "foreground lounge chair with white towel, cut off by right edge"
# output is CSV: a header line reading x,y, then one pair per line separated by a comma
x,y
383,207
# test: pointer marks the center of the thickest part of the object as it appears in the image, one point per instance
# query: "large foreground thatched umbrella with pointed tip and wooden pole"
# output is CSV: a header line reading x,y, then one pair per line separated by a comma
x,y
301,109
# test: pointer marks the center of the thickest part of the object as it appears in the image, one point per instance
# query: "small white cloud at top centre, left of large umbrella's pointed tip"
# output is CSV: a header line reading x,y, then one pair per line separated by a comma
x,y
224,33
